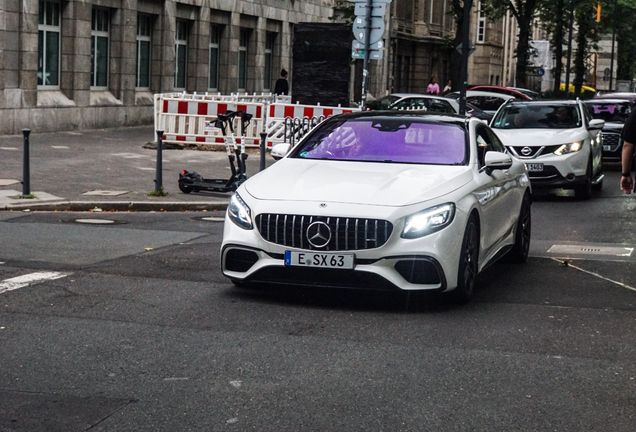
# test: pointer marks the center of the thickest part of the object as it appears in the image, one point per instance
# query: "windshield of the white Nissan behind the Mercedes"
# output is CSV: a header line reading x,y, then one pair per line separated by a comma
x,y
532,116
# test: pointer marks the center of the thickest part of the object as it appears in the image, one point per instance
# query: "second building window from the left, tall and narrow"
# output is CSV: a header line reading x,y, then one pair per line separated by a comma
x,y
99,48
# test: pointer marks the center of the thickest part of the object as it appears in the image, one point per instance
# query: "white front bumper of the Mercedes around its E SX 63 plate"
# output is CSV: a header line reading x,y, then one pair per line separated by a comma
x,y
426,263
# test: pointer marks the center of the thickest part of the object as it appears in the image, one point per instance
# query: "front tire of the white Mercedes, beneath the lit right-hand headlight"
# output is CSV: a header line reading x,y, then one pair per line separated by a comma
x,y
468,261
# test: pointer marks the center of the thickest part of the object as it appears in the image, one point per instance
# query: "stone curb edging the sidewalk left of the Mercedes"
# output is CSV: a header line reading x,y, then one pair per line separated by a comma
x,y
141,206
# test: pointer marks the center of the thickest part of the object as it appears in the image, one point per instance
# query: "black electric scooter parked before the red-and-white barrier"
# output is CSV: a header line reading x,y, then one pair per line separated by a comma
x,y
194,182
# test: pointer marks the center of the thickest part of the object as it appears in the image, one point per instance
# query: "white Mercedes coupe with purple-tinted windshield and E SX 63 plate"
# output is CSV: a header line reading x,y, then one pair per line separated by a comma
x,y
381,200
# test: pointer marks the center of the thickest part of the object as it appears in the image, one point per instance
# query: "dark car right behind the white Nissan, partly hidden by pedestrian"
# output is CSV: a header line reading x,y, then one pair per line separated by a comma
x,y
615,113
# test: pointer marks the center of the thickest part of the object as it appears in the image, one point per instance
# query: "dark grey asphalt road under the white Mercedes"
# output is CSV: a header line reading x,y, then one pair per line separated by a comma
x,y
141,332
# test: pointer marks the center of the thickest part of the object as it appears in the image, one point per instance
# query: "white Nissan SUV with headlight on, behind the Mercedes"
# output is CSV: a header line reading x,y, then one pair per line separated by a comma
x,y
558,140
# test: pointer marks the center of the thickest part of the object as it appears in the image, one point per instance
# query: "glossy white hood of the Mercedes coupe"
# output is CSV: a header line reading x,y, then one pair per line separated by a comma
x,y
382,184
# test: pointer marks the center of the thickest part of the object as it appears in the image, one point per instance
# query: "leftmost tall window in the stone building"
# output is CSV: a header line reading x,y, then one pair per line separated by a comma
x,y
49,44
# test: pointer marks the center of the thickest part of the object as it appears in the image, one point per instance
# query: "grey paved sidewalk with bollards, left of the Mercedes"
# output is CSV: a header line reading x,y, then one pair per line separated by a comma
x,y
108,170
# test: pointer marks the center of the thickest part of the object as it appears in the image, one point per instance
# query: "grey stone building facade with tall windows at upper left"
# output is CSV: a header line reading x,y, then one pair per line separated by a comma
x,y
69,64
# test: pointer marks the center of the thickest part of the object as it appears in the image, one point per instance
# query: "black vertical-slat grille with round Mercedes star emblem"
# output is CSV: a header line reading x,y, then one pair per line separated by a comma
x,y
343,234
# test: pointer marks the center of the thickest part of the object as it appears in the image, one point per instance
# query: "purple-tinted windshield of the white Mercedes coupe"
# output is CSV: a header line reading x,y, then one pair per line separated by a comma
x,y
386,139
